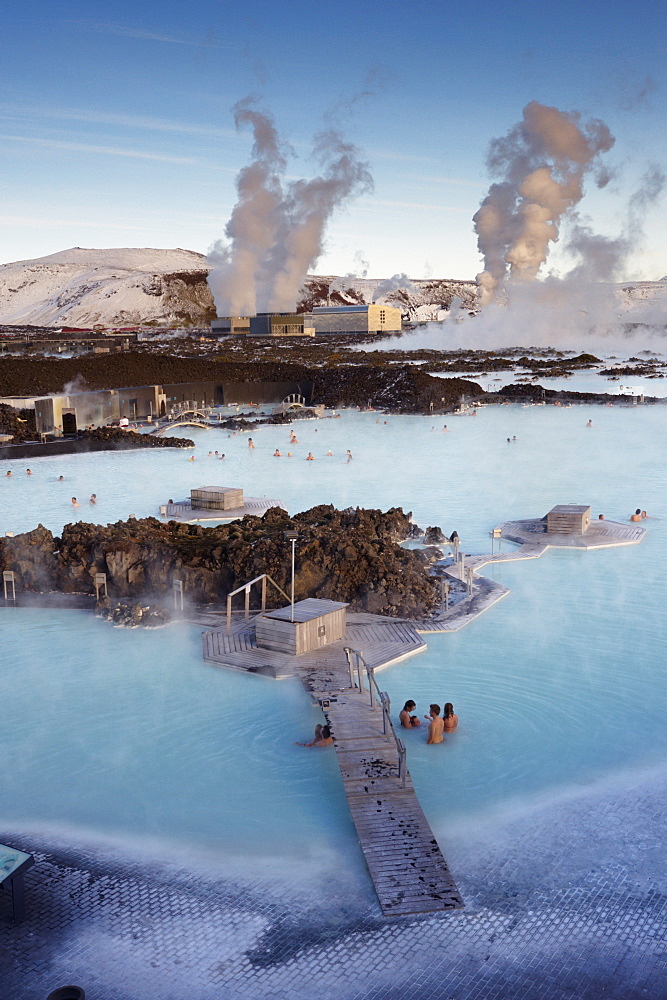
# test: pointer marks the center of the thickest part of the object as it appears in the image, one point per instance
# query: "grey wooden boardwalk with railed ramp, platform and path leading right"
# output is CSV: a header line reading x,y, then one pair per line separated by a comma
x,y
403,857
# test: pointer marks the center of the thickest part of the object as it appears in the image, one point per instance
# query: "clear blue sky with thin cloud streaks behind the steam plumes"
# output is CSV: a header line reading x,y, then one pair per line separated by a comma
x,y
115,123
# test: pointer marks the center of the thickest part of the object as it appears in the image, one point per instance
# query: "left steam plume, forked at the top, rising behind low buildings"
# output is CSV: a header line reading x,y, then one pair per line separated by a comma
x,y
276,231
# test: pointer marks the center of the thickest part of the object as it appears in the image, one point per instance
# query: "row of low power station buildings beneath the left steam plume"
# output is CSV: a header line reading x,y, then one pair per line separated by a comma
x,y
359,319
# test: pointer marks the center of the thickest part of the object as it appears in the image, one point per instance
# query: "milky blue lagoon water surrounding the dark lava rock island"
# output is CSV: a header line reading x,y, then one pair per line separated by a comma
x,y
559,686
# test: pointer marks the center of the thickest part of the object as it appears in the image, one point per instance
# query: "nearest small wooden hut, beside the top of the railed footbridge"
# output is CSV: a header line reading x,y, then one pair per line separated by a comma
x,y
316,623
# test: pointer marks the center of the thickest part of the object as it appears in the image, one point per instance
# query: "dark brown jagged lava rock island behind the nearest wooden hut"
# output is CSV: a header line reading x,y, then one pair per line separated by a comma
x,y
350,555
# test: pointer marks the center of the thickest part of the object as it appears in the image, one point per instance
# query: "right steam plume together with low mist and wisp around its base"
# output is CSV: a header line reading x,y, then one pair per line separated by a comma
x,y
541,164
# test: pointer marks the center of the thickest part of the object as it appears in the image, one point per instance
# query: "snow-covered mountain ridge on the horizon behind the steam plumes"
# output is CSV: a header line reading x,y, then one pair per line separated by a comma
x,y
150,287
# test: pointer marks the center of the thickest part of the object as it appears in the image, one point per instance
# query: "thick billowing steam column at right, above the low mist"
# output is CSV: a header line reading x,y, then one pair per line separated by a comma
x,y
541,164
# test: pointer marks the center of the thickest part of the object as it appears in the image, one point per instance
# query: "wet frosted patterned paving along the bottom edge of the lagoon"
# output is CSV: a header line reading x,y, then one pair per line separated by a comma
x,y
569,903
